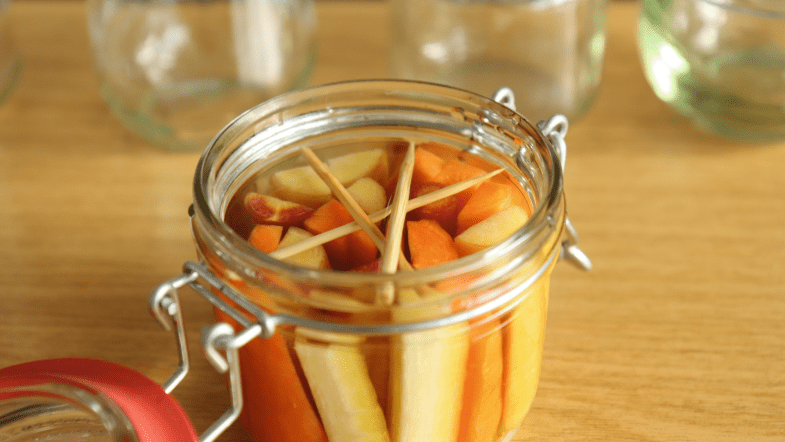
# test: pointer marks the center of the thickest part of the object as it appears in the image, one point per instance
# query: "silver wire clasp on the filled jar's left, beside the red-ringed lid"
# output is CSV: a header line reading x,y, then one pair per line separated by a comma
x,y
164,304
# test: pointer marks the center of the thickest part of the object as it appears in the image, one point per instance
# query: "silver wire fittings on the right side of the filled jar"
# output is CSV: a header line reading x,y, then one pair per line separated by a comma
x,y
554,129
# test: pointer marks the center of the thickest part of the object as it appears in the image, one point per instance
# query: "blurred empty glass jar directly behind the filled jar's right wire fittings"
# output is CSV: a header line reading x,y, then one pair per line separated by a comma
x,y
548,51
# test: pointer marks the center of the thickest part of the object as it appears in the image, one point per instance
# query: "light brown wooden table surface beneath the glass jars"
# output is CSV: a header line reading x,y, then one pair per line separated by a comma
x,y
678,334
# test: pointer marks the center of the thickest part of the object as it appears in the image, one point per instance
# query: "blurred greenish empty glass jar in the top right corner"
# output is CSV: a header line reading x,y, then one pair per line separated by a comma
x,y
719,62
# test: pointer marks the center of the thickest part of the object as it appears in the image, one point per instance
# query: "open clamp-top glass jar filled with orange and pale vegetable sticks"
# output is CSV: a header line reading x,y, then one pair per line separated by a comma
x,y
337,344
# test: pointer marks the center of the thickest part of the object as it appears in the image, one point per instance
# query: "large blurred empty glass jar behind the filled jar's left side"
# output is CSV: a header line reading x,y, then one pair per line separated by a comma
x,y
176,71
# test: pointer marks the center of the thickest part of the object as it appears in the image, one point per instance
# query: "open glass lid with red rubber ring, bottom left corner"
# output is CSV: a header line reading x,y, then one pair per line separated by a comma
x,y
62,400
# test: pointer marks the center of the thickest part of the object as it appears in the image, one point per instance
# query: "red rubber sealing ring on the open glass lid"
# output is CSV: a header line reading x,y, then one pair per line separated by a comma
x,y
155,415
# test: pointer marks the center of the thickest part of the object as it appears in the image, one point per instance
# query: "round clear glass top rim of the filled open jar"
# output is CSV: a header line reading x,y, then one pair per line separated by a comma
x,y
206,213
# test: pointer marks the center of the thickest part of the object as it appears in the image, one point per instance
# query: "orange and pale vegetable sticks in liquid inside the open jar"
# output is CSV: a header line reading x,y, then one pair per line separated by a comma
x,y
472,380
